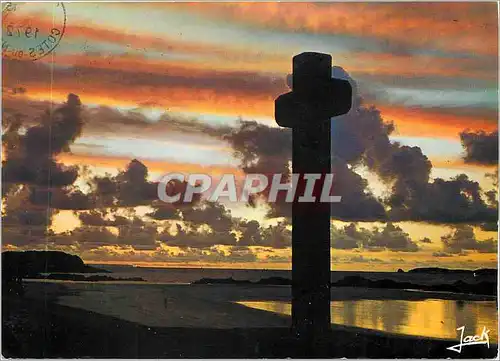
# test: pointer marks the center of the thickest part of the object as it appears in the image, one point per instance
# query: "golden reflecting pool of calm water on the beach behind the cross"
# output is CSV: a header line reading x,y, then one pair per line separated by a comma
x,y
429,318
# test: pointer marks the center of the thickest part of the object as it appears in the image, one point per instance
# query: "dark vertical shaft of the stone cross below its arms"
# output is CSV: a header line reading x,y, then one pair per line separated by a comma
x,y
311,240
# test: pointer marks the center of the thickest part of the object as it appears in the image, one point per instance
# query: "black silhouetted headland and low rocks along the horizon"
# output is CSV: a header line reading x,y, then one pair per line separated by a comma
x,y
55,265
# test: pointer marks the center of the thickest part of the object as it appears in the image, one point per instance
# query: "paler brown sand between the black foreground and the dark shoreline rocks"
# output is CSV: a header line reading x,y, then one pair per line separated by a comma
x,y
216,306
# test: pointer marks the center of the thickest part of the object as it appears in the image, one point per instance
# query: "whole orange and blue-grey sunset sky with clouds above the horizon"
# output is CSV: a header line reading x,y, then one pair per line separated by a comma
x,y
190,88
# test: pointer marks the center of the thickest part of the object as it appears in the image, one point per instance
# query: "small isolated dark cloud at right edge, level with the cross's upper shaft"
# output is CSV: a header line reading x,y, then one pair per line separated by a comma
x,y
480,147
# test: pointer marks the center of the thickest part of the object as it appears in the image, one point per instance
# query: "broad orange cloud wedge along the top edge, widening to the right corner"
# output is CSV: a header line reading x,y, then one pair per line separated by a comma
x,y
449,26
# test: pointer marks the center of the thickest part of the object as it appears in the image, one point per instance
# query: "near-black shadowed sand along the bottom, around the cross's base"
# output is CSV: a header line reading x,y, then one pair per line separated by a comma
x,y
34,327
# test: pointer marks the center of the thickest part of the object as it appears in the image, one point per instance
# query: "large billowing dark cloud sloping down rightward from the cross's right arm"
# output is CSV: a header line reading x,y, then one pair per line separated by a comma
x,y
362,137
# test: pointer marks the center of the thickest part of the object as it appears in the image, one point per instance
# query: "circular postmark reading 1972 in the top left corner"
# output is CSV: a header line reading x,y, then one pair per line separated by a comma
x,y
31,31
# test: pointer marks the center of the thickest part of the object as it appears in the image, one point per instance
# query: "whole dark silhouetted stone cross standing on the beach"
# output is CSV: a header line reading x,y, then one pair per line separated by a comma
x,y
307,109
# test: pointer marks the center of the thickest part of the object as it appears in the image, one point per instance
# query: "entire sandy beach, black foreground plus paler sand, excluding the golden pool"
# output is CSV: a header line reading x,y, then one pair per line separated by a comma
x,y
164,314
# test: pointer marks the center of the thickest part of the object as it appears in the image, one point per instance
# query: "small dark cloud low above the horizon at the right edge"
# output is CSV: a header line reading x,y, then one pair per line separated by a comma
x,y
463,239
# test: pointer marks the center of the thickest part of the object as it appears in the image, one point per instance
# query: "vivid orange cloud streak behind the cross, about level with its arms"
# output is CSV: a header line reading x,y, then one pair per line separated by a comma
x,y
408,121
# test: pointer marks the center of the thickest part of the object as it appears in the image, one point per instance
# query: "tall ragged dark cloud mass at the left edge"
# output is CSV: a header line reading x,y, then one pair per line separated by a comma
x,y
44,185
